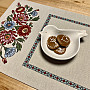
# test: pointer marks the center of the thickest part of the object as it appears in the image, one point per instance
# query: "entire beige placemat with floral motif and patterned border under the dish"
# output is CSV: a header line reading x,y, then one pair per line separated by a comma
x,y
22,57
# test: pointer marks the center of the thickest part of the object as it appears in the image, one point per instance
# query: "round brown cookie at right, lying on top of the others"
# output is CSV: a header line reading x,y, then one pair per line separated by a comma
x,y
63,40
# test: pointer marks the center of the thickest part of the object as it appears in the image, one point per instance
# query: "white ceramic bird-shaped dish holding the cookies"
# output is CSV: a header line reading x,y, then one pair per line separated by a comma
x,y
71,50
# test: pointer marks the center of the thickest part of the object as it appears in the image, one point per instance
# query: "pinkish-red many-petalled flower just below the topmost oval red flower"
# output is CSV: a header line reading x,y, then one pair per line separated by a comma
x,y
20,18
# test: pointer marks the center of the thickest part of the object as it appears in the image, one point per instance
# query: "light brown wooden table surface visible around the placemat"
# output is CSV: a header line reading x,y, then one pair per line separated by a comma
x,y
78,6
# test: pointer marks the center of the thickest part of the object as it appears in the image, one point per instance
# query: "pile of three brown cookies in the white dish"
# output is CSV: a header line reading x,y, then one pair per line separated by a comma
x,y
58,44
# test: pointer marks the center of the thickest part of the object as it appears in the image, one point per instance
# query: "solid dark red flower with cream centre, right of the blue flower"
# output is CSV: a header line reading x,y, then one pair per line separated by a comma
x,y
24,30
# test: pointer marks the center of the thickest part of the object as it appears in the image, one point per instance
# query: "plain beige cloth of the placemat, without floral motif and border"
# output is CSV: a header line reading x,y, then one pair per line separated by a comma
x,y
76,70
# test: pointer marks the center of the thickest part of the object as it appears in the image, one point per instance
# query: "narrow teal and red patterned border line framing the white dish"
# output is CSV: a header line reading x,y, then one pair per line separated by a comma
x,y
46,73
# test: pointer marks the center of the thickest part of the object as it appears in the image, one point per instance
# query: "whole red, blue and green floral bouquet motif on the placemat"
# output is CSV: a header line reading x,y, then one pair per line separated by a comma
x,y
15,28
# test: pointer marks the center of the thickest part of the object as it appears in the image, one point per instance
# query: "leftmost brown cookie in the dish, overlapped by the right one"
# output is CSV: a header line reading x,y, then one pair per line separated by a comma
x,y
51,43
